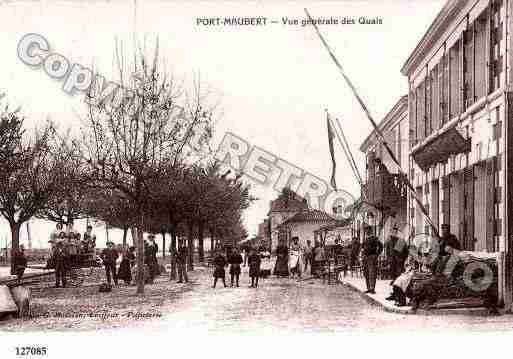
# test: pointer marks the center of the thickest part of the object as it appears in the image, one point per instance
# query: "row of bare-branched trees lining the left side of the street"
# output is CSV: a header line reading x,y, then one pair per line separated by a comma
x,y
141,162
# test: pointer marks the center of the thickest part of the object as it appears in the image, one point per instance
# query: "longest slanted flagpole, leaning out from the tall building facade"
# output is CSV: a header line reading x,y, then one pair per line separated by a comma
x,y
371,119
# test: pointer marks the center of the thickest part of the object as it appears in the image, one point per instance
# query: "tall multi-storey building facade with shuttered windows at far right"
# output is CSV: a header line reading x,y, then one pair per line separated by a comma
x,y
460,104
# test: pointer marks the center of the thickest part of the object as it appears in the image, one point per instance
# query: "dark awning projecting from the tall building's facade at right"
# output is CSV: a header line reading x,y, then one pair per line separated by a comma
x,y
440,148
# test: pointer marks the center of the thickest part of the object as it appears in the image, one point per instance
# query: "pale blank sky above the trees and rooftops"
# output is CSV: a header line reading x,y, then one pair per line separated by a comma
x,y
273,82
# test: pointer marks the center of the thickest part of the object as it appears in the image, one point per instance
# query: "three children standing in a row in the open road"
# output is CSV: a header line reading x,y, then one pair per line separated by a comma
x,y
234,260
